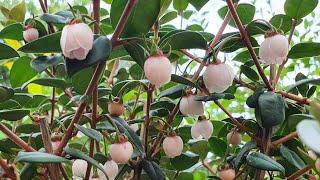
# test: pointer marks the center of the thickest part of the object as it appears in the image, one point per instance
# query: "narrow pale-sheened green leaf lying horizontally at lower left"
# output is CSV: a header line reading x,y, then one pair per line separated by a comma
x,y
39,157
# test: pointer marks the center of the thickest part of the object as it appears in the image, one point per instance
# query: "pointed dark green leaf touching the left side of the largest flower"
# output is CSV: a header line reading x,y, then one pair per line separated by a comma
x,y
46,44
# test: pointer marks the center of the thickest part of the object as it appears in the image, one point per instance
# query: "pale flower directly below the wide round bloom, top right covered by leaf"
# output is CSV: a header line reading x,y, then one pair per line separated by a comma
x,y
189,106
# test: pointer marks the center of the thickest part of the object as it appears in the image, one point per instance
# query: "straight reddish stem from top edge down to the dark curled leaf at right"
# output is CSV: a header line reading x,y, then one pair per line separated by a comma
x,y
246,40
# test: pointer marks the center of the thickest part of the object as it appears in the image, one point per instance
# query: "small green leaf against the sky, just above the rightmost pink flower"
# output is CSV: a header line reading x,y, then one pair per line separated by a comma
x,y
281,21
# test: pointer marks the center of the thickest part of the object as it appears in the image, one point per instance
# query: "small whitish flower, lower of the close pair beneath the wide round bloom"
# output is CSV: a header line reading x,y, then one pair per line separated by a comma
x,y
202,129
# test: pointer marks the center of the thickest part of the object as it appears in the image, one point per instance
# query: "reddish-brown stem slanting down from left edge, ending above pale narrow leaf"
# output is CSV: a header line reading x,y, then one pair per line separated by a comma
x,y
17,140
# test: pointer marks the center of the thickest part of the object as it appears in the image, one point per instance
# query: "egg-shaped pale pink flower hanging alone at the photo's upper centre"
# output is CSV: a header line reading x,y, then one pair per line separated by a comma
x,y
157,69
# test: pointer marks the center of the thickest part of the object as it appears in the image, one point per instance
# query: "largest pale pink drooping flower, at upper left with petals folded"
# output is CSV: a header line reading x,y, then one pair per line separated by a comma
x,y
76,40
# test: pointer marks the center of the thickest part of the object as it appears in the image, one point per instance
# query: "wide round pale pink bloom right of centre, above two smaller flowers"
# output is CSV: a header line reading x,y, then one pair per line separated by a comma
x,y
218,77
